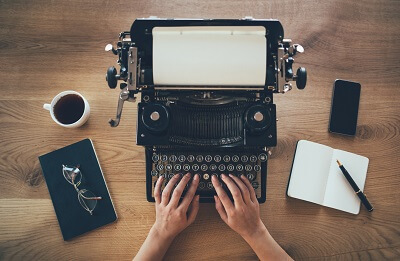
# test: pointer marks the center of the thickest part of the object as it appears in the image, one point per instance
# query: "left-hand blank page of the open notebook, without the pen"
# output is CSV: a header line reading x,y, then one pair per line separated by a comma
x,y
309,171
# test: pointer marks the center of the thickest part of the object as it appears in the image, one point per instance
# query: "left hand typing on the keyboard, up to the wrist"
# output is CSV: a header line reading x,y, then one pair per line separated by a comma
x,y
171,216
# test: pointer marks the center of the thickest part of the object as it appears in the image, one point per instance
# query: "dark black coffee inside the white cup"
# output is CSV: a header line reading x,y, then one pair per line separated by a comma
x,y
69,109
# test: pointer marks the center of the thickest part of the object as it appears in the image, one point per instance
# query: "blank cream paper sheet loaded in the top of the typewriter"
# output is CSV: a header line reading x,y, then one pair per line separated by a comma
x,y
210,56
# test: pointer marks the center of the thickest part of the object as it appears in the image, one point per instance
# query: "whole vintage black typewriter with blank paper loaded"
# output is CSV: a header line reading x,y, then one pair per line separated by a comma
x,y
206,95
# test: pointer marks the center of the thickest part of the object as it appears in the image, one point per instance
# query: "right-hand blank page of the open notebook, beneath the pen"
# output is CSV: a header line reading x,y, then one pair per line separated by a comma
x,y
339,194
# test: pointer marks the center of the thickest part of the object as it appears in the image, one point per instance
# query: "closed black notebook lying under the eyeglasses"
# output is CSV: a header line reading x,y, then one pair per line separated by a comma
x,y
73,219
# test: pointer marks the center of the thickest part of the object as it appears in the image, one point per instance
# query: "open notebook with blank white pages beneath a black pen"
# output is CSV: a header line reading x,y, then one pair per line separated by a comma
x,y
317,178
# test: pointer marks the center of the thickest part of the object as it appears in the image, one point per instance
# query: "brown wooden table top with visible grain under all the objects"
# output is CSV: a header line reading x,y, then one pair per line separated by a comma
x,y
50,46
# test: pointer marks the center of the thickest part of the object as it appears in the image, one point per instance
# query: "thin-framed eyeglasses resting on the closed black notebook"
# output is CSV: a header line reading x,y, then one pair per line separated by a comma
x,y
86,198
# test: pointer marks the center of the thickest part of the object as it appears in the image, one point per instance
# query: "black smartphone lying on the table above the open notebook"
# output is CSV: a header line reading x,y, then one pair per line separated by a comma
x,y
344,110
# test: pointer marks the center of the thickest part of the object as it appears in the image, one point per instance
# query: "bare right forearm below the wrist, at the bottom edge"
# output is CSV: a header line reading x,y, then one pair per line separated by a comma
x,y
265,246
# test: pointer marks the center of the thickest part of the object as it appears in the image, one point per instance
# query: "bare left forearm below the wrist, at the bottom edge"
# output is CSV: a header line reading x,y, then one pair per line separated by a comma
x,y
154,247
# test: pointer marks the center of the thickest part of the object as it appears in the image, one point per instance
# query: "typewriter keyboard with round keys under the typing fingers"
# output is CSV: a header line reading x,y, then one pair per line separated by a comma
x,y
168,164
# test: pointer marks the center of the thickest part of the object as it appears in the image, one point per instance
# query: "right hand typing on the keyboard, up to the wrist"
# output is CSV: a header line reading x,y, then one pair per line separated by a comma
x,y
243,214
